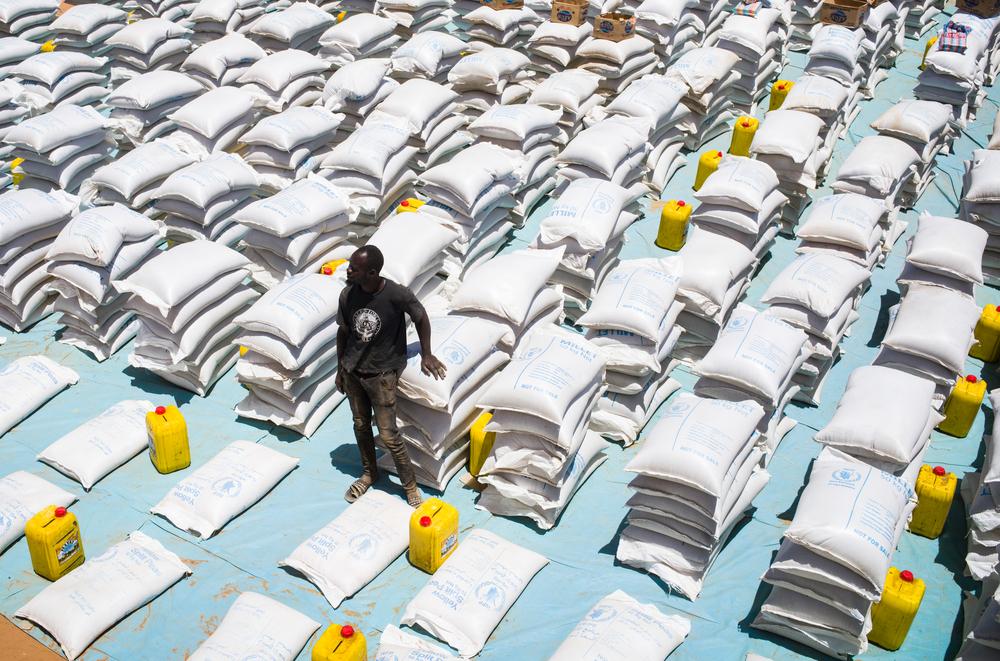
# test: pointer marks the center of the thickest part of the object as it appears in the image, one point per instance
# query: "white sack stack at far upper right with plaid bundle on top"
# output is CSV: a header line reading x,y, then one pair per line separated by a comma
x,y
963,59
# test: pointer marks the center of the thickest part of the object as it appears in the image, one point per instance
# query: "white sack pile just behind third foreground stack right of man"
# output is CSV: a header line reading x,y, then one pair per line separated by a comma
x,y
757,357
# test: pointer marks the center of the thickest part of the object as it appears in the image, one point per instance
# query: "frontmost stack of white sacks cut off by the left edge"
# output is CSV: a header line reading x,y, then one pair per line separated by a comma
x,y
33,220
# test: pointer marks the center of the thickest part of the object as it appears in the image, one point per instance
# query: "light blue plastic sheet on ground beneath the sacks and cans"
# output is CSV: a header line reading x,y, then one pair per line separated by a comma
x,y
581,549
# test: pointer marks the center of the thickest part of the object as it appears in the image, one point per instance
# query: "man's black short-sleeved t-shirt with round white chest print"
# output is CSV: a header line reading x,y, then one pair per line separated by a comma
x,y
376,340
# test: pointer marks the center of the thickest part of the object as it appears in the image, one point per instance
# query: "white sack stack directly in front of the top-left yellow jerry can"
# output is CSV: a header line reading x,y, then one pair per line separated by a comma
x,y
52,79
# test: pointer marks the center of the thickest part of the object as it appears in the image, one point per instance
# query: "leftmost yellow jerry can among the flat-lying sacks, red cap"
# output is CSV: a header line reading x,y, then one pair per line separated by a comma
x,y
54,542
